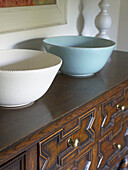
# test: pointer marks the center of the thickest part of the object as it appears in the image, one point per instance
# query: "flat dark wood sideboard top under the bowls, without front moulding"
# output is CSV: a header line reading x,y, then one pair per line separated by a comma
x,y
65,94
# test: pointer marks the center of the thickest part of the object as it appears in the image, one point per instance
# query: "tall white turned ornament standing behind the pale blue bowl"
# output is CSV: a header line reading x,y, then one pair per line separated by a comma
x,y
103,20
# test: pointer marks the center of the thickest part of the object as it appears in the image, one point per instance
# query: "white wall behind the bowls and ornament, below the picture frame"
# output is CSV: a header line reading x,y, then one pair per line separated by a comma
x,y
80,20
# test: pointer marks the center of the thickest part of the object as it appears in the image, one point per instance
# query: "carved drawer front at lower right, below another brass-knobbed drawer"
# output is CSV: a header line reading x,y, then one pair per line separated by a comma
x,y
109,155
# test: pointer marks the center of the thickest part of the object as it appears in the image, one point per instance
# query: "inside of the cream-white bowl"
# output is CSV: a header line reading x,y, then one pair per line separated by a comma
x,y
15,60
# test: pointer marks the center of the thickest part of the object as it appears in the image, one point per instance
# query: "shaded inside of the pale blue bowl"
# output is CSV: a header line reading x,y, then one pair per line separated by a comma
x,y
79,42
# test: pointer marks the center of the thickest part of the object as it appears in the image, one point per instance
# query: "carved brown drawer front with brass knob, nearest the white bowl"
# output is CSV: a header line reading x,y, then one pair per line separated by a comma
x,y
54,151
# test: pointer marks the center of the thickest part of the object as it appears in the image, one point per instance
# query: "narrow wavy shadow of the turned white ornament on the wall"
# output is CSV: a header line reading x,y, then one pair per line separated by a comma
x,y
80,19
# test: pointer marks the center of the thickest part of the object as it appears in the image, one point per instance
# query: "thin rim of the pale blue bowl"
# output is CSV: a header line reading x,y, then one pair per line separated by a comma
x,y
94,48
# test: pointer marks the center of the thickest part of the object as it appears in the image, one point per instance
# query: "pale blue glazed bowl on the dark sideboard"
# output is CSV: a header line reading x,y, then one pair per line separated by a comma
x,y
82,56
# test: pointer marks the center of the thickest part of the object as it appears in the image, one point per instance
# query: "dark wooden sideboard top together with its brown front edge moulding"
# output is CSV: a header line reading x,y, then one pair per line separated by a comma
x,y
67,98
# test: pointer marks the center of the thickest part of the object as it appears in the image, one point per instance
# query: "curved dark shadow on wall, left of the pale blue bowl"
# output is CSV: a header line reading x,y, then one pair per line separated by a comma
x,y
33,44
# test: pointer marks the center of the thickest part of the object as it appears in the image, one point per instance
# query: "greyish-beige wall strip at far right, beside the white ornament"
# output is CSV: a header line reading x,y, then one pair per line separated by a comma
x,y
123,27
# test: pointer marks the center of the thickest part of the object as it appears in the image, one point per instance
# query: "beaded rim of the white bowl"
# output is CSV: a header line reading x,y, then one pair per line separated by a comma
x,y
29,70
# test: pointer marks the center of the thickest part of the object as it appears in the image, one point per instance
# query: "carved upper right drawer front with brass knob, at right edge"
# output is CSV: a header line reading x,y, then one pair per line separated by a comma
x,y
109,111
